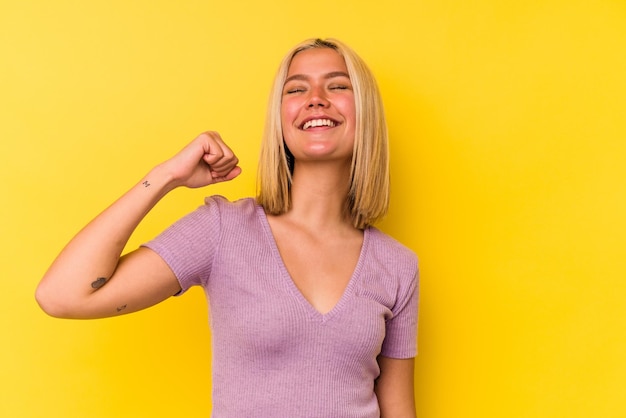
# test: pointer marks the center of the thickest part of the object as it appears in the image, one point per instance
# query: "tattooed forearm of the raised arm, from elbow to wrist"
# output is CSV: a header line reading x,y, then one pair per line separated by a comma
x,y
89,260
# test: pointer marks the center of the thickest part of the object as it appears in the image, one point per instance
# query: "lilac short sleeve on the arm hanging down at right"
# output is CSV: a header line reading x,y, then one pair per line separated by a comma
x,y
401,329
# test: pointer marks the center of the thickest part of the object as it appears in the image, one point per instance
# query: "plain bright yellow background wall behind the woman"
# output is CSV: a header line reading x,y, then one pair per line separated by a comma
x,y
508,126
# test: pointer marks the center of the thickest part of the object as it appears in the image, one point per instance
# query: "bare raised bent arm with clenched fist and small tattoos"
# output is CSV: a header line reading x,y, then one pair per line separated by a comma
x,y
90,279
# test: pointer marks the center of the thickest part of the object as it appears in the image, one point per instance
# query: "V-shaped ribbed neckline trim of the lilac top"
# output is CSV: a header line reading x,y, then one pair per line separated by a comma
x,y
348,291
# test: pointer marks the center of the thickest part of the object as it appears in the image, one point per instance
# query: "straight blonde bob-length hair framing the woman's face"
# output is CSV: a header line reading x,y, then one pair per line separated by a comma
x,y
368,196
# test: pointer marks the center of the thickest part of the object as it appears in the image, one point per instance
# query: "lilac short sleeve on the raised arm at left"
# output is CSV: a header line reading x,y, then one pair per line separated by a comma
x,y
189,245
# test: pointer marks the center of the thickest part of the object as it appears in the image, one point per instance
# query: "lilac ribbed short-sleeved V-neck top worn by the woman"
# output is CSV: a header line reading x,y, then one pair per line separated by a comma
x,y
274,354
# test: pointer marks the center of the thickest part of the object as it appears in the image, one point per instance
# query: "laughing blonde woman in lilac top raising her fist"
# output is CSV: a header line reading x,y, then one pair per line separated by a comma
x,y
313,310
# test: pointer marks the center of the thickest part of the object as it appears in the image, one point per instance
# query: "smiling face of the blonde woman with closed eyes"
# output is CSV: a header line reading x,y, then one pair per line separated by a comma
x,y
317,109
